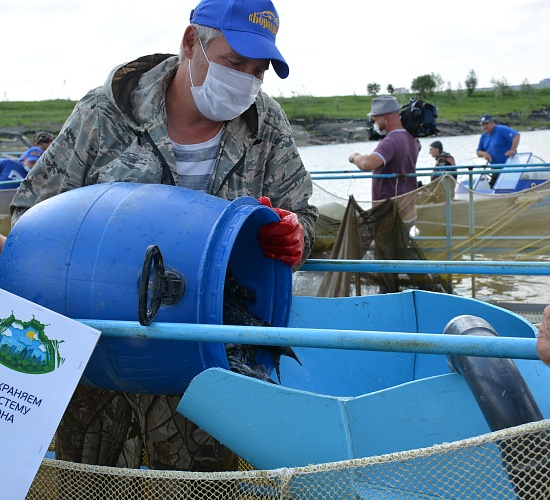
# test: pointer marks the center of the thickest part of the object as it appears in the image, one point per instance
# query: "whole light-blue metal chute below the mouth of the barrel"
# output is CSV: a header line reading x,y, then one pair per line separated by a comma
x,y
343,404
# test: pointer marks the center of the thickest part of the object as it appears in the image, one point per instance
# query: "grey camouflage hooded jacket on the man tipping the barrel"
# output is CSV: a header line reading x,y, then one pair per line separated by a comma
x,y
118,133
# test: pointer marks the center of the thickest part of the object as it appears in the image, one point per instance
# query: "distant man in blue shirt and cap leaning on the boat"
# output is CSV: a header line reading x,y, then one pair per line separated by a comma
x,y
497,143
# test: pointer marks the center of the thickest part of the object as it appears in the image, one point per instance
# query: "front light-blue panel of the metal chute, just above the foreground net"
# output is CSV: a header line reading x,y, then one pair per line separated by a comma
x,y
274,426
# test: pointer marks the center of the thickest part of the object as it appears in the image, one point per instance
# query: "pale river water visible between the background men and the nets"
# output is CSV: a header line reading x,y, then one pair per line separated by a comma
x,y
525,289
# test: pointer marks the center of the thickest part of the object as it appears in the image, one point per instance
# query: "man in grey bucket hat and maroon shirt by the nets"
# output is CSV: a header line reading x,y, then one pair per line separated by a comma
x,y
396,153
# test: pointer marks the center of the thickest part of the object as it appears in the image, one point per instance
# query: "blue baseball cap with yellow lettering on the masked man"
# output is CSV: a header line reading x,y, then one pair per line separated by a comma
x,y
250,28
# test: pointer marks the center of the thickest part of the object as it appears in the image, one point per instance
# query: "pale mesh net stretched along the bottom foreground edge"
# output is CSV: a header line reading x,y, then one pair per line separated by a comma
x,y
509,464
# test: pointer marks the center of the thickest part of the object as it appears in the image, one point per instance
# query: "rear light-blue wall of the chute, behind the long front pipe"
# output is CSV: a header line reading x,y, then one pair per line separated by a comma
x,y
344,373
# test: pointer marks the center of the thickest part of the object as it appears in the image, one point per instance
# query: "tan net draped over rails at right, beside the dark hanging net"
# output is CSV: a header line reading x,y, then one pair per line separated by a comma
x,y
477,226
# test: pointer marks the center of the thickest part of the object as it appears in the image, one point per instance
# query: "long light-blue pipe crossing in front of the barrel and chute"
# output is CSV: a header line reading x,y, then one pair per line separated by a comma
x,y
427,343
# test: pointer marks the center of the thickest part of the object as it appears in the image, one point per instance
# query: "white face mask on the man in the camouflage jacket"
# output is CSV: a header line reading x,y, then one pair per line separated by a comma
x,y
225,93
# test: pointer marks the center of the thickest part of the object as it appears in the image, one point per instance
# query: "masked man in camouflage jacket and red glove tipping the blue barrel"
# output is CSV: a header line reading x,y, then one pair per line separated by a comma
x,y
199,121
